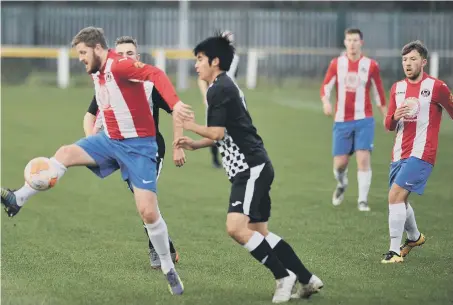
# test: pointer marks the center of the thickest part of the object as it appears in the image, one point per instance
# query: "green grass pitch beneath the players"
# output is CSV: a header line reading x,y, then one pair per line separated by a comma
x,y
83,242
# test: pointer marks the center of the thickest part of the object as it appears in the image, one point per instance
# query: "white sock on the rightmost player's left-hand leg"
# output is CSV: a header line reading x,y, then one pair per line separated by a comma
x,y
397,218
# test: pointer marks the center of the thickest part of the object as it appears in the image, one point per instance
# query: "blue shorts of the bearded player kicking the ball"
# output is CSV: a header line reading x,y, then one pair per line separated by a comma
x,y
135,157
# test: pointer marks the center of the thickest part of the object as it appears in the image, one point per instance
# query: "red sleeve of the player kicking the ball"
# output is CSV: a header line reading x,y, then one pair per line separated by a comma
x,y
129,69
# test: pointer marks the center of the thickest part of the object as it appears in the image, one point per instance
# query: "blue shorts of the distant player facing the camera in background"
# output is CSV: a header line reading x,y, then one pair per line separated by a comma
x,y
351,136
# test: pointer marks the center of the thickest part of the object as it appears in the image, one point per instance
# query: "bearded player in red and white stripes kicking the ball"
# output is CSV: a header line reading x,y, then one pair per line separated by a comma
x,y
128,141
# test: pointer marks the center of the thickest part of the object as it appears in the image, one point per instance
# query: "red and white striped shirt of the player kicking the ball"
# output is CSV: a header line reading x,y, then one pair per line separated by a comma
x,y
122,98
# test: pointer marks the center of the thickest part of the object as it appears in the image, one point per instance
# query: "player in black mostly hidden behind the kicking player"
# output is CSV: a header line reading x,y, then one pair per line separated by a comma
x,y
127,46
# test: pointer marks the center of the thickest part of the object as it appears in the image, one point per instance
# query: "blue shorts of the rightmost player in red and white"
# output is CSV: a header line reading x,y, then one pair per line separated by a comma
x,y
410,174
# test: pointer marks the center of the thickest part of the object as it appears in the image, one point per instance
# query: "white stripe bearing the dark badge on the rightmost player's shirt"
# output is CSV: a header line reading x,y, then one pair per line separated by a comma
x,y
421,133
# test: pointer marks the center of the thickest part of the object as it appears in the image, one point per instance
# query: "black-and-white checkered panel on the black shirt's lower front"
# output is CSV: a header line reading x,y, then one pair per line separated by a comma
x,y
232,159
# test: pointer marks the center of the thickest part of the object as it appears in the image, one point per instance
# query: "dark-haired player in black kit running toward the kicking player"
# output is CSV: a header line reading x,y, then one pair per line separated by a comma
x,y
249,170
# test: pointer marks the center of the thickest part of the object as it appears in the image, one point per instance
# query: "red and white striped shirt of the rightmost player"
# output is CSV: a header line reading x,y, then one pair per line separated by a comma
x,y
417,134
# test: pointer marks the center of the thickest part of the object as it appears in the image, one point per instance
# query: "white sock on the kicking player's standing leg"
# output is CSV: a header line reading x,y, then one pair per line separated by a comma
x,y
158,234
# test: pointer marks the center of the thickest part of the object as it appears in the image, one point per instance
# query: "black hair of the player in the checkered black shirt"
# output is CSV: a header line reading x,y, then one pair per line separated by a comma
x,y
219,46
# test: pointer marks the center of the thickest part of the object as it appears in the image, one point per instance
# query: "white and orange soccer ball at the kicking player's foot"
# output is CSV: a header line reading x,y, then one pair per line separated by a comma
x,y
40,174
